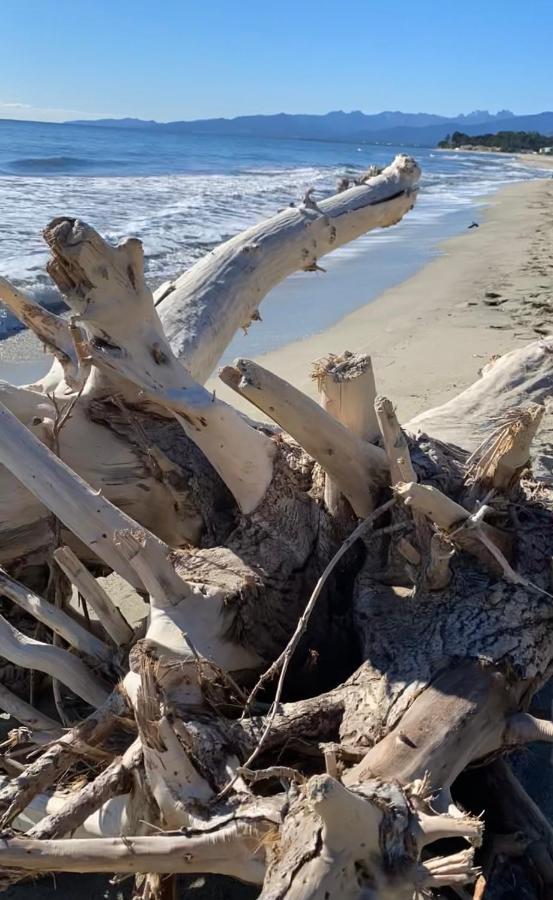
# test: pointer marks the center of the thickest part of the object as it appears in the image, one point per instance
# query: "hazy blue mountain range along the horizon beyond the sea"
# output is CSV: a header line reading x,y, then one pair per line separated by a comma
x,y
412,129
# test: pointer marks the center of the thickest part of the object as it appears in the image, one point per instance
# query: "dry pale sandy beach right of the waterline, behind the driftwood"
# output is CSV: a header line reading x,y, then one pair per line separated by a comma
x,y
430,335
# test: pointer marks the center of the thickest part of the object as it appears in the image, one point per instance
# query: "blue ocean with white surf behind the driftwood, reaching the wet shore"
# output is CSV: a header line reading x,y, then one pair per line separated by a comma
x,y
183,194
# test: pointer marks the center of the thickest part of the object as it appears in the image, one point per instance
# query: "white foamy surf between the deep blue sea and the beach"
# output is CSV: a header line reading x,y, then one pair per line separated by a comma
x,y
180,216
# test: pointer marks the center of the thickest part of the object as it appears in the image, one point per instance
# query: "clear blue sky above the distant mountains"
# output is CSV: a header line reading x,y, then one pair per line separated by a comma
x,y
167,60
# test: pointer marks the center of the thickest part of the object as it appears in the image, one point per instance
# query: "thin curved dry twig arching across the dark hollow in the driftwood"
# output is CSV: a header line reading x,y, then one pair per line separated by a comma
x,y
283,661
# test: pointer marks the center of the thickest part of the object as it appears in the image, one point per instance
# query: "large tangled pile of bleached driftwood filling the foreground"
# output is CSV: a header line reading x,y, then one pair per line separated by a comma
x,y
341,622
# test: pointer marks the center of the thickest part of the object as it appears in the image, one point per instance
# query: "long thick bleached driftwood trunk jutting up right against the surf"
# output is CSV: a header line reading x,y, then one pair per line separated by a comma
x,y
205,307
